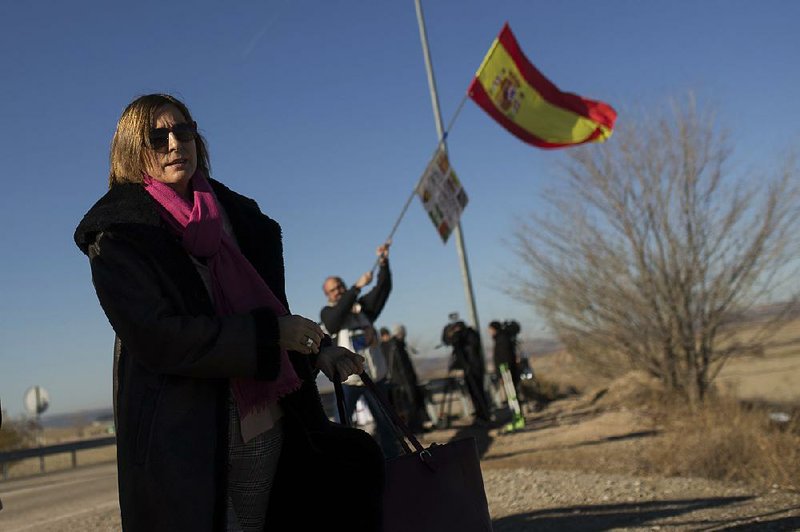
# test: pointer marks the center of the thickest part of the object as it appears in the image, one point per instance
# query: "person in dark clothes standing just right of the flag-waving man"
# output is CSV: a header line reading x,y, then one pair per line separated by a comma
x,y
406,395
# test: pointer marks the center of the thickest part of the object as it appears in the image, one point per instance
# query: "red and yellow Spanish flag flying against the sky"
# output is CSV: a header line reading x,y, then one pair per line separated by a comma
x,y
522,100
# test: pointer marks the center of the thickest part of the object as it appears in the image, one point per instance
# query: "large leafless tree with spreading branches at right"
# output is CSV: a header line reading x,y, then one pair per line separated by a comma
x,y
651,247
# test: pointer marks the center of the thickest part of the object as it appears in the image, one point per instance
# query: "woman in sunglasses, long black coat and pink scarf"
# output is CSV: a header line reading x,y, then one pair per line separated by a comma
x,y
219,422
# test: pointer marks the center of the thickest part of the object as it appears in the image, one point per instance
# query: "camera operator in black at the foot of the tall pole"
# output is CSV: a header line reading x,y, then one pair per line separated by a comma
x,y
466,344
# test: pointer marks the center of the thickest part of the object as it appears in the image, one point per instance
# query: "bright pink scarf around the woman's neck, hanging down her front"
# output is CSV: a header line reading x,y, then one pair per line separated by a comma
x,y
236,286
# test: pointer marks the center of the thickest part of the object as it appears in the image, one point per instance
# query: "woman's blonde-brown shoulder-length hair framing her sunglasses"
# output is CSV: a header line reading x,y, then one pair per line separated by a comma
x,y
130,144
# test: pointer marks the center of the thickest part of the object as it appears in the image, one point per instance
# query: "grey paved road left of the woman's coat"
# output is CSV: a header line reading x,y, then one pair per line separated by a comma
x,y
75,499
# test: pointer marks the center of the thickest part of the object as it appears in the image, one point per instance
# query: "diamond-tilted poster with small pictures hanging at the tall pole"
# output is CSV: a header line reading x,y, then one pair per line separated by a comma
x,y
442,195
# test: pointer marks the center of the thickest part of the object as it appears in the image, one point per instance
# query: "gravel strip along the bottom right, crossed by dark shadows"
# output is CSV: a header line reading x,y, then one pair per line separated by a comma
x,y
523,499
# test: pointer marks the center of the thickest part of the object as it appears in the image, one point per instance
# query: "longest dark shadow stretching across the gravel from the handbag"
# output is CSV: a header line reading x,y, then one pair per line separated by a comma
x,y
608,516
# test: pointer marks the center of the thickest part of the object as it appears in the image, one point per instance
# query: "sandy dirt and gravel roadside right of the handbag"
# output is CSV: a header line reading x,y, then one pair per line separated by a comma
x,y
571,469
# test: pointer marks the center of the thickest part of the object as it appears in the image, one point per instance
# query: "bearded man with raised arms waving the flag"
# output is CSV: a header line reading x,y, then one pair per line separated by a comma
x,y
350,320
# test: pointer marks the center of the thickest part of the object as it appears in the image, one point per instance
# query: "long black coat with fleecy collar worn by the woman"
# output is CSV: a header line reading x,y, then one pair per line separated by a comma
x,y
174,358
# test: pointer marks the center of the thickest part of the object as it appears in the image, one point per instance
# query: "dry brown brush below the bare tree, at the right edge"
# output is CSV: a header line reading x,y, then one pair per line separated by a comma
x,y
726,440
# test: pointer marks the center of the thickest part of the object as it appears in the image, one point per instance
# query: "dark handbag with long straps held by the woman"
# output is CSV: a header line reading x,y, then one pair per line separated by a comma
x,y
432,489
